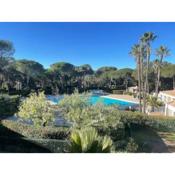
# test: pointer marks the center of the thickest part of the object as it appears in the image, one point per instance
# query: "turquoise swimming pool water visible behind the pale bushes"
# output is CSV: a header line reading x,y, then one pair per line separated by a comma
x,y
94,99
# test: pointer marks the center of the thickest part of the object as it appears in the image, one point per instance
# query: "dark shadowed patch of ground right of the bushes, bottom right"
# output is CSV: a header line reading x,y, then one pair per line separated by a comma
x,y
149,141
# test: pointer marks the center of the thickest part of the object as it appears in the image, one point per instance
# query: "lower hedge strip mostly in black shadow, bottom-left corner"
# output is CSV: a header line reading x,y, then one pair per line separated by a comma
x,y
26,145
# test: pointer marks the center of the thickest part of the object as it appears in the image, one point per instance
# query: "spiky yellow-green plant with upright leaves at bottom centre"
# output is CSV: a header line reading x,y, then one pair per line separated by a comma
x,y
87,140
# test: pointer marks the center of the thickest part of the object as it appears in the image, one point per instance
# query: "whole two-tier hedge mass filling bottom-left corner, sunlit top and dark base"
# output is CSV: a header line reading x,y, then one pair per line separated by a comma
x,y
21,138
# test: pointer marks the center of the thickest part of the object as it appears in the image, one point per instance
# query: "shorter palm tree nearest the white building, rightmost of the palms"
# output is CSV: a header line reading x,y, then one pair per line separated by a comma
x,y
161,52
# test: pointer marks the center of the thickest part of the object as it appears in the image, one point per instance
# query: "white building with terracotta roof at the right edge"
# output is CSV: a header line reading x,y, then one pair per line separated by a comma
x,y
168,97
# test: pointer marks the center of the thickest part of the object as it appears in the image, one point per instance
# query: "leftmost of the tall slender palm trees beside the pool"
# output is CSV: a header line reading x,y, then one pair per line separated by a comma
x,y
136,53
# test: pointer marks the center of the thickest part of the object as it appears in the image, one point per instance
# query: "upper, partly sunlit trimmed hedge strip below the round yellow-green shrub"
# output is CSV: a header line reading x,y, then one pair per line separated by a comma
x,y
16,129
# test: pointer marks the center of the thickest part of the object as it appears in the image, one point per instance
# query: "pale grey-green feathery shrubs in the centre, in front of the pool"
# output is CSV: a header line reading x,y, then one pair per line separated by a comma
x,y
80,112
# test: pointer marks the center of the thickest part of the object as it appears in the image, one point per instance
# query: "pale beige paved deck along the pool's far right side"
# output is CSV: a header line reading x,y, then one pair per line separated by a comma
x,y
126,98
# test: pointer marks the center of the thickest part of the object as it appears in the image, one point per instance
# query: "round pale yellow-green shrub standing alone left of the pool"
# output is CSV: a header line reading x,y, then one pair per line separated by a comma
x,y
37,108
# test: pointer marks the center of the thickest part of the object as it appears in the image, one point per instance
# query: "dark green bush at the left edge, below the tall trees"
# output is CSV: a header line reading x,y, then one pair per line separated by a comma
x,y
8,105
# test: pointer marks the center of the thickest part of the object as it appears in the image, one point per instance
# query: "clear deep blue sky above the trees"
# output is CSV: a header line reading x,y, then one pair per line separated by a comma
x,y
97,44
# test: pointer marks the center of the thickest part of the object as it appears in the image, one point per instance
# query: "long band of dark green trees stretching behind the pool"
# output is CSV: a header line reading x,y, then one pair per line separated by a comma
x,y
24,76
